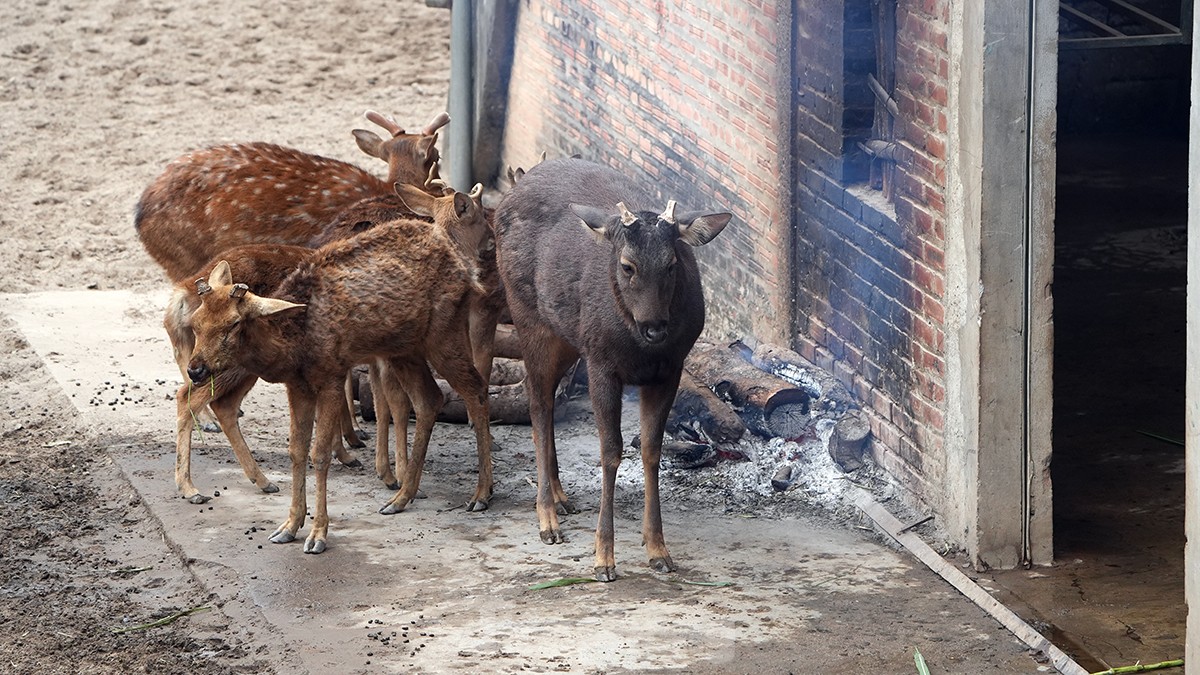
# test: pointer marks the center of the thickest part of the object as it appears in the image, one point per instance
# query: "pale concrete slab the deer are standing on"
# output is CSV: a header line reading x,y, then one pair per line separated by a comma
x,y
436,589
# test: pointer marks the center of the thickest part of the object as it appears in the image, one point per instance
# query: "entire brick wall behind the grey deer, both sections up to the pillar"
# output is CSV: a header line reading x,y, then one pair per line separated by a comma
x,y
718,104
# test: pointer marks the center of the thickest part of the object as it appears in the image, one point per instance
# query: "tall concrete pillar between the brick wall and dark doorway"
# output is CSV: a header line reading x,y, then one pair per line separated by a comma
x,y
999,262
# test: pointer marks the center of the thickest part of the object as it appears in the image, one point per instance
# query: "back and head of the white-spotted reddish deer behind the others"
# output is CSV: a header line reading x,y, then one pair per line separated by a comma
x,y
226,196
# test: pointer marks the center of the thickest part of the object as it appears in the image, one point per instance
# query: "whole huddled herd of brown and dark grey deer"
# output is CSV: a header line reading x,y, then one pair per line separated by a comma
x,y
295,268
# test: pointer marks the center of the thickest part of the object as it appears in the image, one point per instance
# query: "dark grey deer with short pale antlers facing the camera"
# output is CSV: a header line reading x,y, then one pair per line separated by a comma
x,y
587,276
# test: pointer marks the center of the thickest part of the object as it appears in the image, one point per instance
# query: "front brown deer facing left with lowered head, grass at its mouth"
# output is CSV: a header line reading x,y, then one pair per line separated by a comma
x,y
399,292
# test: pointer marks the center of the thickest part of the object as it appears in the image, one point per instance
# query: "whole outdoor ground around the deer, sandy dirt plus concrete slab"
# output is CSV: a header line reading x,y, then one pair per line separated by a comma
x,y
95,99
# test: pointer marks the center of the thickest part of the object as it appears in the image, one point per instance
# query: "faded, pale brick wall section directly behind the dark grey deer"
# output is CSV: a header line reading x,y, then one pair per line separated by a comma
x,y
687,97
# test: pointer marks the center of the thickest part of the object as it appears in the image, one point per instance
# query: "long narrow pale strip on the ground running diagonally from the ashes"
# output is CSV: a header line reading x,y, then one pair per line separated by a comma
x,y
926,554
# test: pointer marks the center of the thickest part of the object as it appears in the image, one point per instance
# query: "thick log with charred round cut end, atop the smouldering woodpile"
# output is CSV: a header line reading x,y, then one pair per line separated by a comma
x,y
770,405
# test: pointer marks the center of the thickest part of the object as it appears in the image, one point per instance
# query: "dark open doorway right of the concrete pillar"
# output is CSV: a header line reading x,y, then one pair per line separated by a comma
x,y
1115,595
